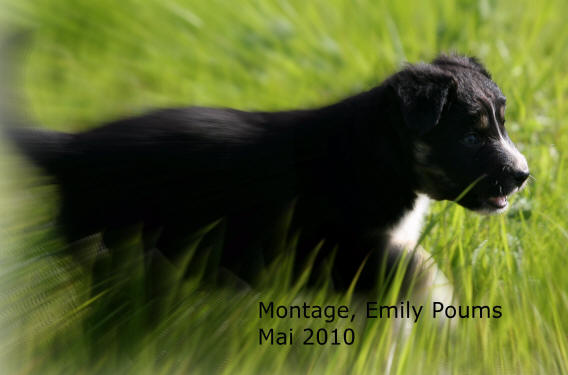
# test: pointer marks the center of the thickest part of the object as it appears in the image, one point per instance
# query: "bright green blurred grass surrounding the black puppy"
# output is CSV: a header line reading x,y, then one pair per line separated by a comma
x,y
96,60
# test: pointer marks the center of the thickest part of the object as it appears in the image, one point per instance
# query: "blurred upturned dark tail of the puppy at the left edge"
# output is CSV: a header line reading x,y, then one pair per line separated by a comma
x,y
44,148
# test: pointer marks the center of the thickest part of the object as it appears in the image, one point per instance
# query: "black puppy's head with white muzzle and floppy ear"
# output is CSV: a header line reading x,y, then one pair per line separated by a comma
x,y
455,118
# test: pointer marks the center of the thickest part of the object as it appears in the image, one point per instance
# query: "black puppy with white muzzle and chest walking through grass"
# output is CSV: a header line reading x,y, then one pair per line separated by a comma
x,y
350,173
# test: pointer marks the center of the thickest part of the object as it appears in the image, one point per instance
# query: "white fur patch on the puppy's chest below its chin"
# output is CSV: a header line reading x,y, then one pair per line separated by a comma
x,y
407,231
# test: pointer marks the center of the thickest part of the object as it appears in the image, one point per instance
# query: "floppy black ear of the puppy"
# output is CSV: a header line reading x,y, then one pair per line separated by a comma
x,y
423,92
